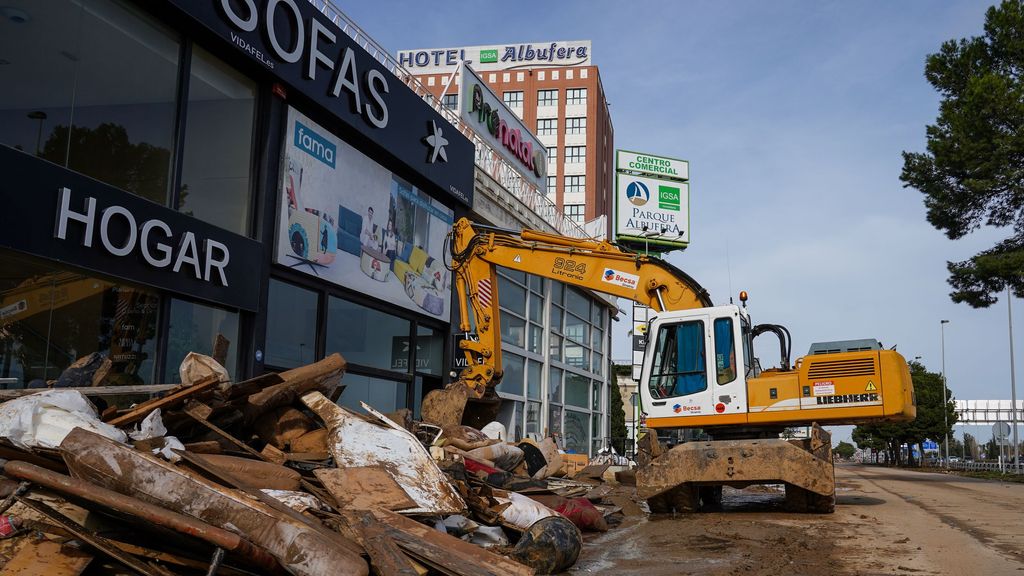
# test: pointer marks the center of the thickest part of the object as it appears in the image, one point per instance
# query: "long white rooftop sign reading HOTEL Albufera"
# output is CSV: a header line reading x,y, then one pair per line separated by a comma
x,y
498,57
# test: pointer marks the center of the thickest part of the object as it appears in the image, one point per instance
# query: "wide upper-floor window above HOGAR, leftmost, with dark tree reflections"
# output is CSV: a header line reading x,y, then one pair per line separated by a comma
x,y
92,86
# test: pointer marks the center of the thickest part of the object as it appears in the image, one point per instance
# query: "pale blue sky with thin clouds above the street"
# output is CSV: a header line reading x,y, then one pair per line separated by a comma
x,y
793,115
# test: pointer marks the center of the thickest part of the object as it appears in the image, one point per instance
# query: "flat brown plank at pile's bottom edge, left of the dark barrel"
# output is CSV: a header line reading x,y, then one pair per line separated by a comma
x,y
445,553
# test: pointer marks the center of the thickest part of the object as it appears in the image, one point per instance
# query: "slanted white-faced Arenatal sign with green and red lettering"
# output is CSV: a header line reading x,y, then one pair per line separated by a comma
x,y
504,132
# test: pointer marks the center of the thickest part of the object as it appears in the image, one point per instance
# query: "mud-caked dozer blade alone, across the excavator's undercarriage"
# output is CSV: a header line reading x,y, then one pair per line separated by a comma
x,y
737,463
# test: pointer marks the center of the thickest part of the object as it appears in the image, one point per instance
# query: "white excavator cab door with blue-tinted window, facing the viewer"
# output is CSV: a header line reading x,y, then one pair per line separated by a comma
x,y
677,373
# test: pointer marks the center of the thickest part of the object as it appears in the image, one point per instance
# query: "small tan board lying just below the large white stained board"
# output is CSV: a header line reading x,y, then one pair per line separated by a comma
x,y
364,488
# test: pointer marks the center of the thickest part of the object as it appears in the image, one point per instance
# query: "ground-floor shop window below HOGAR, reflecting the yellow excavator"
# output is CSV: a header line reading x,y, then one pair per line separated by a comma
x,y
54,317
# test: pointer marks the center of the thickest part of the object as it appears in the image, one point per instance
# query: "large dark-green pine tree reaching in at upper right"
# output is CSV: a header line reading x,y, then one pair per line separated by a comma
x,y
971,175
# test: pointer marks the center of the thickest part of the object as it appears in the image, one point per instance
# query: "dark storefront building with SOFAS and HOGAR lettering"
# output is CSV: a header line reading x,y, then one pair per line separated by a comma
x,y
236,179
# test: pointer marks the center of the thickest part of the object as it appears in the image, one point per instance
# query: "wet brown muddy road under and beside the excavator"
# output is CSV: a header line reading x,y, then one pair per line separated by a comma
x,y
886,522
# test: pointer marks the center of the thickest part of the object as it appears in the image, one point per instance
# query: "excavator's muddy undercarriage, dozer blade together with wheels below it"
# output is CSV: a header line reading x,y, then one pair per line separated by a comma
x,y
692,475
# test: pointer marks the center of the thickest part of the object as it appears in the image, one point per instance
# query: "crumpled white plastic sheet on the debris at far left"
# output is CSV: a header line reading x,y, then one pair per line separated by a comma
x,y
45,419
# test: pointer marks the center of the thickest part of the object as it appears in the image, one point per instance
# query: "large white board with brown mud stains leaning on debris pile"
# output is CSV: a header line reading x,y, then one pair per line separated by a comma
x,y
356,442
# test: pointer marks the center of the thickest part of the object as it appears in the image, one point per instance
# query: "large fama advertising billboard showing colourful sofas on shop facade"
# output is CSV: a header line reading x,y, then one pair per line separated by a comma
x,y
349,221
